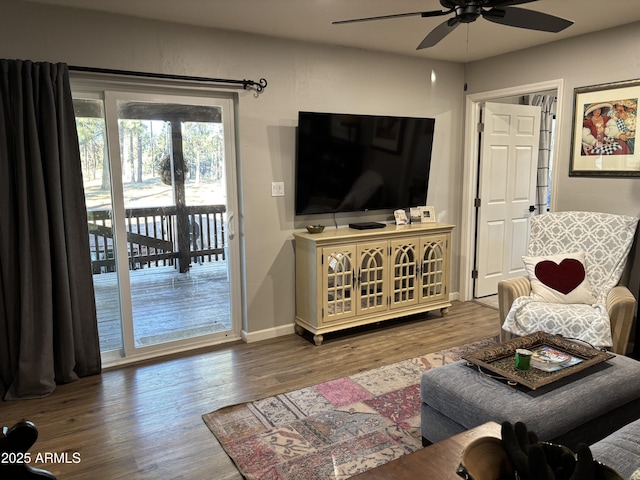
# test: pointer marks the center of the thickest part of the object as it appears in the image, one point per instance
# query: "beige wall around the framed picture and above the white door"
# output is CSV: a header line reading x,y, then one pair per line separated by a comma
x,y
604,57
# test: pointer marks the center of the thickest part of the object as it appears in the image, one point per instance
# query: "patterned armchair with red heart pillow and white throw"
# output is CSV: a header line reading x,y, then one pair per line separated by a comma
x,y
574,263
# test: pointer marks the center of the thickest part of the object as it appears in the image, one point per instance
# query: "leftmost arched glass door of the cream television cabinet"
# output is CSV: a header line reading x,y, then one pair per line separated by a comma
x,y
339,281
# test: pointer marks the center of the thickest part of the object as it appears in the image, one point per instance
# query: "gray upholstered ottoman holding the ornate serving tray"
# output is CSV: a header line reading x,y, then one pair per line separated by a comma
x,y
584,407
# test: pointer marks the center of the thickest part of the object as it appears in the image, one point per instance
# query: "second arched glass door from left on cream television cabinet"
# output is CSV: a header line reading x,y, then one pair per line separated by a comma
x,y
372,277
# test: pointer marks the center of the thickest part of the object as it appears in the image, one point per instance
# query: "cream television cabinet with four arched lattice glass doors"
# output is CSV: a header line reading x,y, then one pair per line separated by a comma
x,y
347,278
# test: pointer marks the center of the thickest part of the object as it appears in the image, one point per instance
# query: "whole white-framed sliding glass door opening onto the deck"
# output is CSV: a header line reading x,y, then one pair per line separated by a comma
x,y
159,175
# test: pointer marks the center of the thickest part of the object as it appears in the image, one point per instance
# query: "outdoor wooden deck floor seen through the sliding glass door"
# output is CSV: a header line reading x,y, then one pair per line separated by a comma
x,y
167,305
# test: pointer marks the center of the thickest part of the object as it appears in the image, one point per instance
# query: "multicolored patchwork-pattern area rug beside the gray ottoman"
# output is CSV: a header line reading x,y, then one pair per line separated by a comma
x,y
332,430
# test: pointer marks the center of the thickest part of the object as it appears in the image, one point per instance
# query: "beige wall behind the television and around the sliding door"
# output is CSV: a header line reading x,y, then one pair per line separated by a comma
x,y
301,77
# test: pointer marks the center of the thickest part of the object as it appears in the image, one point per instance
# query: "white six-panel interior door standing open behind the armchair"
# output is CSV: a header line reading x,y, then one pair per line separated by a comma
x,y
506,191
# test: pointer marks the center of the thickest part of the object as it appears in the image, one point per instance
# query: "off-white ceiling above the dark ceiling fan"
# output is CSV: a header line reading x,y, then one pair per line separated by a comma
x,y
310,20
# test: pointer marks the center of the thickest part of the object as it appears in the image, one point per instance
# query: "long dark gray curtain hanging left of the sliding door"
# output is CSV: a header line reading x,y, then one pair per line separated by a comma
x,y
48,324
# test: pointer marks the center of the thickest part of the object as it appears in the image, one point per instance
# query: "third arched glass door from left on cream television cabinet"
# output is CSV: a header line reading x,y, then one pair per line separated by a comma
x,y
404,274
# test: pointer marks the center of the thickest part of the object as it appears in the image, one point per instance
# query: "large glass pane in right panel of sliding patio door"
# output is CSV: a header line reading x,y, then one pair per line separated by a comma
x,y
175,205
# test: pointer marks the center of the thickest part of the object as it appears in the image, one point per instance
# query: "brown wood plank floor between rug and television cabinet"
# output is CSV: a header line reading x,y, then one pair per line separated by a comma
x,y
144,421
